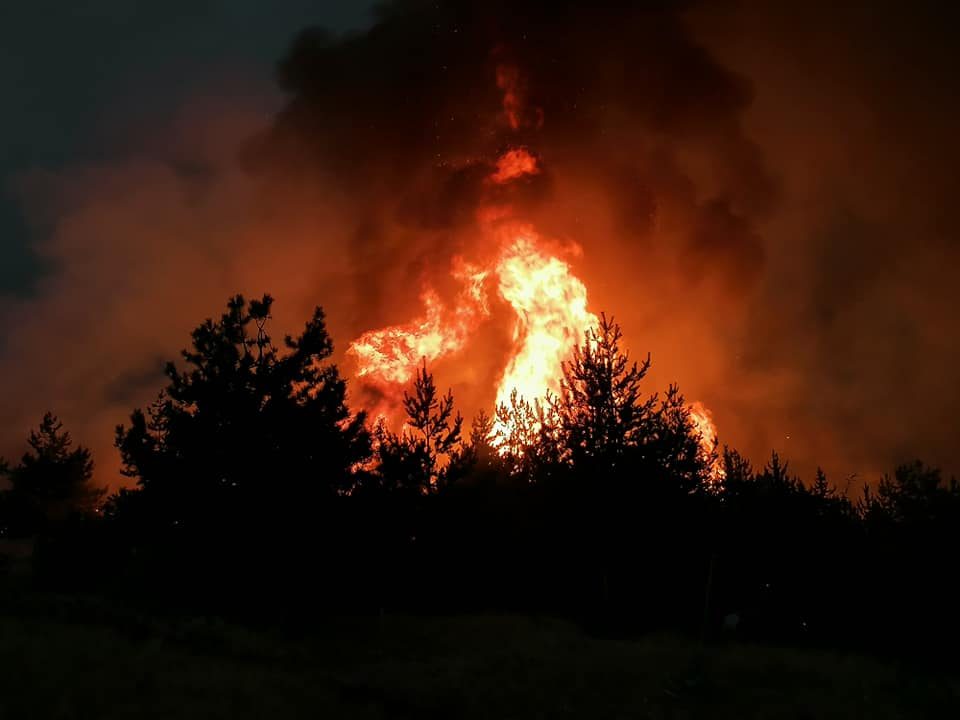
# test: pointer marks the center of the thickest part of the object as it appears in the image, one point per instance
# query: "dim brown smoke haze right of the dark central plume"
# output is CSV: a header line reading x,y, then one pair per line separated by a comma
x,y
856,106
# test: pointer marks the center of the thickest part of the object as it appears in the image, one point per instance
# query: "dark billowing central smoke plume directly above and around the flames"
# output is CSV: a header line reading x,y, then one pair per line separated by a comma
x,y
638,129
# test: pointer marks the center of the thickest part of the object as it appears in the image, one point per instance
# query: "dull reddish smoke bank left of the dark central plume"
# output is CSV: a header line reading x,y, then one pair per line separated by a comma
x,y
141,252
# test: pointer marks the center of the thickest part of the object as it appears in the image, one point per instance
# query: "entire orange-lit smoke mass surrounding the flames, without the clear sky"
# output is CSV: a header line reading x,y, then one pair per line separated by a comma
x,y
779,242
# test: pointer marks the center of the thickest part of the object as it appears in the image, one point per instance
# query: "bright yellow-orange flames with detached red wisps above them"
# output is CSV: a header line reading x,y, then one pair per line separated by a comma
x,y
548,299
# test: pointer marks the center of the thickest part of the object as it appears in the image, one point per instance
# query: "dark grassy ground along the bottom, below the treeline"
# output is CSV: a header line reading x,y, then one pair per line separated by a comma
x,y
54,666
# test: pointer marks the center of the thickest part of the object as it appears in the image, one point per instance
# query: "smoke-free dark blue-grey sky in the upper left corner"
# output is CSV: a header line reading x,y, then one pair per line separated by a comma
x,y
76,75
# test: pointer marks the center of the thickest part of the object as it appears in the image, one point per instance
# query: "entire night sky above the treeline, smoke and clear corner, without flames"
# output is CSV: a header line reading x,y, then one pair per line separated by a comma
x,y
769,197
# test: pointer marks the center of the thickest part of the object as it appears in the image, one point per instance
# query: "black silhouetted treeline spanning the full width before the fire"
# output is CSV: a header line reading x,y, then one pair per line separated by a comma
x,y
259,494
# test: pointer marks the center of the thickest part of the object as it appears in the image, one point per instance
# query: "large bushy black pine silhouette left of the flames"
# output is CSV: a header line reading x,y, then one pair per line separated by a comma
x,y
245,423
